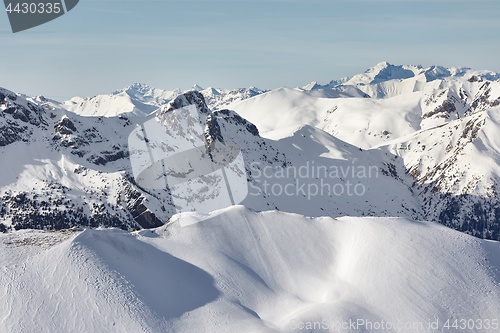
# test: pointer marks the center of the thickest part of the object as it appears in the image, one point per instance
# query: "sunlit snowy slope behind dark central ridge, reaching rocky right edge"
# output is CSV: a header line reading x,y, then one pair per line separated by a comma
x,y
369,122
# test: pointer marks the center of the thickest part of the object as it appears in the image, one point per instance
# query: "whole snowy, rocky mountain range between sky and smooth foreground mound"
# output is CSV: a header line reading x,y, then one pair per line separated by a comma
x,y
425,154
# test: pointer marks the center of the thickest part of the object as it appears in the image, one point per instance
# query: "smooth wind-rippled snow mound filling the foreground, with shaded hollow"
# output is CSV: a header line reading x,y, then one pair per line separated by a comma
x,y
243,271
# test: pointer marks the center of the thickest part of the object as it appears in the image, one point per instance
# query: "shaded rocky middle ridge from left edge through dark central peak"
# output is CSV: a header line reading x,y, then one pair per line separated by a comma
x,y
66,170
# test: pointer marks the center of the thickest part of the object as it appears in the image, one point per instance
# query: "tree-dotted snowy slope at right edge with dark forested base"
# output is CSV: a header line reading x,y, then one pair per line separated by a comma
x,y
456,169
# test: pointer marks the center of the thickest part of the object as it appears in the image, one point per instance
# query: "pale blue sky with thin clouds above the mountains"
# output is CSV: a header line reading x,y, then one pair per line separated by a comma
x,y
103,45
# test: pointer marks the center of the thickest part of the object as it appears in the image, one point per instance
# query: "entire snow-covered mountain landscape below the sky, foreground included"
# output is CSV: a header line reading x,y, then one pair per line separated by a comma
x,y
340,180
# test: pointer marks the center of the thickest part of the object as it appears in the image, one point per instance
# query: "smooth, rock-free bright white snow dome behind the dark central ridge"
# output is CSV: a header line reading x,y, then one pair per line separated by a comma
x,y
363,122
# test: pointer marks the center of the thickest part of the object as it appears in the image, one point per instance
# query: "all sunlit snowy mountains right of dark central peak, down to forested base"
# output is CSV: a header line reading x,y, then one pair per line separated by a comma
x,y
453,172
